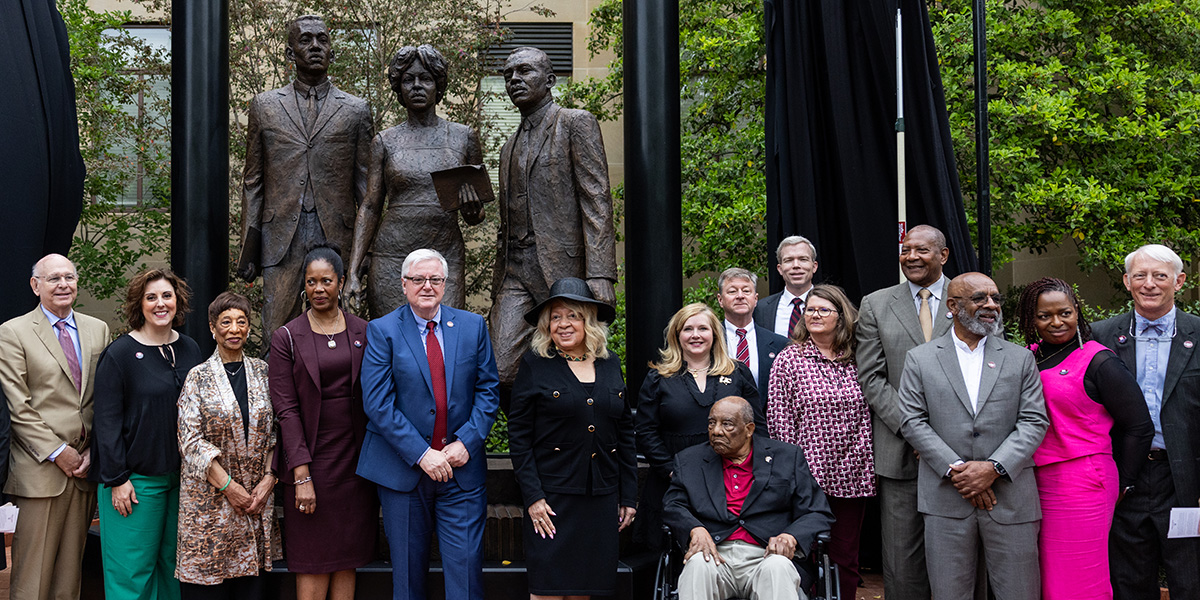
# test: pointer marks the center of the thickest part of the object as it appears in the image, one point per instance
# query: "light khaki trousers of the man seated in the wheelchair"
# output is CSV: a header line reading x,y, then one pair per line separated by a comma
x,y
746,574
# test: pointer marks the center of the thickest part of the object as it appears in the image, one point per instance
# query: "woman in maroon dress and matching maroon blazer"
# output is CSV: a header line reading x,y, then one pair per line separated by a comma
x,y
331,513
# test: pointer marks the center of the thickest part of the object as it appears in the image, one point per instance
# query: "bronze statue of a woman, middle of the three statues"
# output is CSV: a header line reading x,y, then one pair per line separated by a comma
x,y
401,161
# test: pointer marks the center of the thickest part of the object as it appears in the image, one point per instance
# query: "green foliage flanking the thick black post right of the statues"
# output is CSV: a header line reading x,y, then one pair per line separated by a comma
x,y
723,93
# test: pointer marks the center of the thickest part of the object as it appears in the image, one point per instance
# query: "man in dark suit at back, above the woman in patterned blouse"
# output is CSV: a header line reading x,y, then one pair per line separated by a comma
x,y
797,260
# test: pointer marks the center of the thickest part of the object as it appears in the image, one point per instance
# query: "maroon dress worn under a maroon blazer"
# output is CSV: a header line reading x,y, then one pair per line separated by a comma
x,y
340,535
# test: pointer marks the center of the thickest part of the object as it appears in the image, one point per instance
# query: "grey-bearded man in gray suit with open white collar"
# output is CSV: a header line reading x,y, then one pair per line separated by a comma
x,y
973,407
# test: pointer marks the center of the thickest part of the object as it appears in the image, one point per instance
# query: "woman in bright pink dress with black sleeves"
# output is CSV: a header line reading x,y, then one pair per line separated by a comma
x,y
1094,403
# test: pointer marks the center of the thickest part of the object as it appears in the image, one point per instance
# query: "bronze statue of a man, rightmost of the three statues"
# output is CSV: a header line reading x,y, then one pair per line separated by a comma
x,y
556,208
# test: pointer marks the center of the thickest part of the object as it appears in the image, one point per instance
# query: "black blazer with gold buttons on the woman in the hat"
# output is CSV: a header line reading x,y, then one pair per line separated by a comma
x,y
562,439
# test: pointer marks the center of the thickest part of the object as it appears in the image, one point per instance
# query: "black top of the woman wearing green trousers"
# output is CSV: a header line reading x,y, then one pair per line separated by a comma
x,y
136,416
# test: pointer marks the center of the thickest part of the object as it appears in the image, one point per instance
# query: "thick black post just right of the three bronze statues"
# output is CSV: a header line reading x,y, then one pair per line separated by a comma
x,y
653,193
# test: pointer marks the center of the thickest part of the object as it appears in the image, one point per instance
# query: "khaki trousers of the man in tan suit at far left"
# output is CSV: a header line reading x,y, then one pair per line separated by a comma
x,y
47,548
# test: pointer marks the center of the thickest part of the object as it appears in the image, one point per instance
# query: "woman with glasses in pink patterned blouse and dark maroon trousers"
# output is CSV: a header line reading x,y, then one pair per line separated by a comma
x,y
815,403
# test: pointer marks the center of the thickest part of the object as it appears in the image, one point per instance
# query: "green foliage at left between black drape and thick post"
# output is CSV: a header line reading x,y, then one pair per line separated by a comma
x,y
112,71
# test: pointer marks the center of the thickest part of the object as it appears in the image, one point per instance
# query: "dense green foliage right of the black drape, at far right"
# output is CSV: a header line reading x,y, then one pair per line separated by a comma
x,y
1094,110
